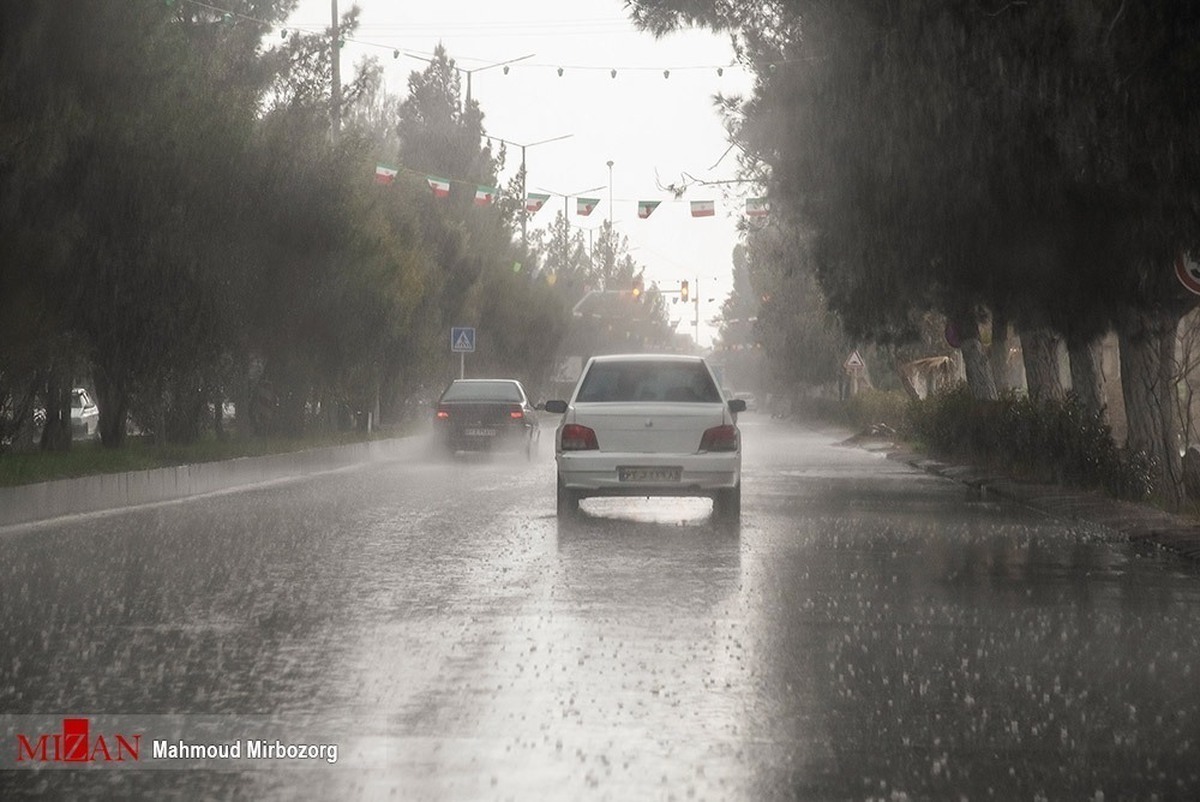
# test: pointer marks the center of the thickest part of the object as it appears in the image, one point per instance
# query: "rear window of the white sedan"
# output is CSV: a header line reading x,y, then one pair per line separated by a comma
x,y
649,381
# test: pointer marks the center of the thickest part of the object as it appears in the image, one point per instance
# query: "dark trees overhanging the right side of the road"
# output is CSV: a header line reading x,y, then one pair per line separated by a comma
x,y
1003,164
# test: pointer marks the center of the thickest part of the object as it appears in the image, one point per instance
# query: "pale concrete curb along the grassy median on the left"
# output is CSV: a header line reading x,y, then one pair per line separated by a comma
x,y
50,500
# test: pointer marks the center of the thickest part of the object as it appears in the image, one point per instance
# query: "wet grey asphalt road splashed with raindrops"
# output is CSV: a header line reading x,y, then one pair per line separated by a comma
x,y
868,633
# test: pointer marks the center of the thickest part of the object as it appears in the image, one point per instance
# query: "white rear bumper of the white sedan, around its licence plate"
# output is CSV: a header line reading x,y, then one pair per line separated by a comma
x,y
597,474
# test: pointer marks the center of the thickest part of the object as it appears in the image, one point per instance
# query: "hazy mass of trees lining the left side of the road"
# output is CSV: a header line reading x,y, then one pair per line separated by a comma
x,y
183,230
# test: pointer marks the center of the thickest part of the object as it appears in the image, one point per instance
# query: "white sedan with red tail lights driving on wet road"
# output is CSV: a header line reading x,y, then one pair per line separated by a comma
x,y
649,426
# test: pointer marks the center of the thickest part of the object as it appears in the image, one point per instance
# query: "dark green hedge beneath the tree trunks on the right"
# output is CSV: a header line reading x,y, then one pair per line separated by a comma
x,y
1048,440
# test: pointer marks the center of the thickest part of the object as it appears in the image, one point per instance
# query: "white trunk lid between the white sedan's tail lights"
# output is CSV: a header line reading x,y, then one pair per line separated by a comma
x,y
641,428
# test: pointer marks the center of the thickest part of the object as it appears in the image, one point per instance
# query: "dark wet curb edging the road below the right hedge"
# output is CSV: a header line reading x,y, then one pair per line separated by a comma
x,y
1138,523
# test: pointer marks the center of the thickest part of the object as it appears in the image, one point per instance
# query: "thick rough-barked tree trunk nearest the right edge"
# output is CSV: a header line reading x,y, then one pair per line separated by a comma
x,y
1148,370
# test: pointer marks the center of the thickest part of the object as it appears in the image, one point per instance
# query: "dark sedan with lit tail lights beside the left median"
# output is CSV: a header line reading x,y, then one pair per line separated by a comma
x,y
487,415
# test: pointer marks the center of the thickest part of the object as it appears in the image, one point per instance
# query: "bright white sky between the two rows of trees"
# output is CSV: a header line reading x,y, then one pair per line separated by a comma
x,y
655,130
